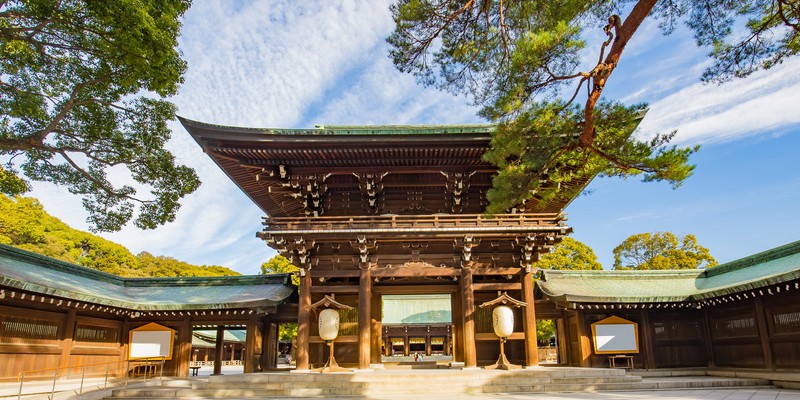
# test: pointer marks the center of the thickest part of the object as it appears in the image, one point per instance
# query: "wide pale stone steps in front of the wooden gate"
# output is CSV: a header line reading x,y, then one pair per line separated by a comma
x,y
419,382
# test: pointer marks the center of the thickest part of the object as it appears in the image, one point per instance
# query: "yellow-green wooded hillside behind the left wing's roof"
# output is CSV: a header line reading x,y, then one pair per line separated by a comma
x,y
25,224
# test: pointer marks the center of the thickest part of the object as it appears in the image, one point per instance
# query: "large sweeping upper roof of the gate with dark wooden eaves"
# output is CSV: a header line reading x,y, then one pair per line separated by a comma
x,y
245,154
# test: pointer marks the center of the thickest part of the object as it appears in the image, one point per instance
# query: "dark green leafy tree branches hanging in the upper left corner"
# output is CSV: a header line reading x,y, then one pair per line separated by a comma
x,y
71,110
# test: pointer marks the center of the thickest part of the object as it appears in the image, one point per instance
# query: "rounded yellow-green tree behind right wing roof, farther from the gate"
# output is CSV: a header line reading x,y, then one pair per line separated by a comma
x,y
661,250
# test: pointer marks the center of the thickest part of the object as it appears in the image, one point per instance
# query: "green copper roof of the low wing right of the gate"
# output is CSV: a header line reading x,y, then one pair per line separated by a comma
x,y
771,267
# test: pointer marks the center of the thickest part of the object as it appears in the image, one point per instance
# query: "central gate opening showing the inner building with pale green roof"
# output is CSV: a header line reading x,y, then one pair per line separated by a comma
x,y
416,327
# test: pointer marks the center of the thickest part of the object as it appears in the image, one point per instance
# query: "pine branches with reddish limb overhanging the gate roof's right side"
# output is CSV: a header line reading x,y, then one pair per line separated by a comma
x,y
518,61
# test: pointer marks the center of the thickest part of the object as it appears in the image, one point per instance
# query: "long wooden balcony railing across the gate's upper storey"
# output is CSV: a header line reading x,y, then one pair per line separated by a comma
x,y
411,221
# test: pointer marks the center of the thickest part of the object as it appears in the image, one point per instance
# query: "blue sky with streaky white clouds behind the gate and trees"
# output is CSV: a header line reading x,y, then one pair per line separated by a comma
x,y
295,64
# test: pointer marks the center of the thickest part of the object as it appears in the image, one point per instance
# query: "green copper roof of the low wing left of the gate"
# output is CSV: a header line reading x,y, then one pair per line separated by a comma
x,y
31,272
